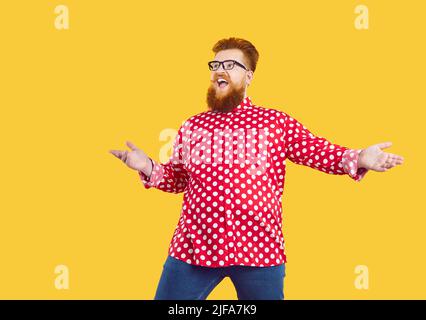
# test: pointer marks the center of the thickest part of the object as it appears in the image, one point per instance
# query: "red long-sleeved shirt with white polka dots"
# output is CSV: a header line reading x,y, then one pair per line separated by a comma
x,y
231,167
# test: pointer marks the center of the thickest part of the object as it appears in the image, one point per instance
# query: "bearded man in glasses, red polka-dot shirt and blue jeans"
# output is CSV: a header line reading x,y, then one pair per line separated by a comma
x,y
230,163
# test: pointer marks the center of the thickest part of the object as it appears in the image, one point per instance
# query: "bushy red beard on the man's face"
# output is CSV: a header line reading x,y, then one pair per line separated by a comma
x,y
226,102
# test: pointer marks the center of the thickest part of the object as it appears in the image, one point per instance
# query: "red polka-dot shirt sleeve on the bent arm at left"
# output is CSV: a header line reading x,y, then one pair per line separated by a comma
x,y
172,175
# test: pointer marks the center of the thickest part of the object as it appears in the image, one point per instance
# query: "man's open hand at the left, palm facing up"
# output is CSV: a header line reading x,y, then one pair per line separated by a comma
x,y
135,159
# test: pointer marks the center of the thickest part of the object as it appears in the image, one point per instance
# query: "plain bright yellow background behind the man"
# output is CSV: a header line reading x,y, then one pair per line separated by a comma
x,y
126,70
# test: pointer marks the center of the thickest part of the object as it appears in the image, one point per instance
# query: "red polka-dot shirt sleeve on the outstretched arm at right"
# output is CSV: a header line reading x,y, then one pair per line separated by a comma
x,y
305,148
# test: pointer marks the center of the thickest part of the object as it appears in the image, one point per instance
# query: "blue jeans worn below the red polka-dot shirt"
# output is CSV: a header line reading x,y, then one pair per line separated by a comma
x,y
182,281
